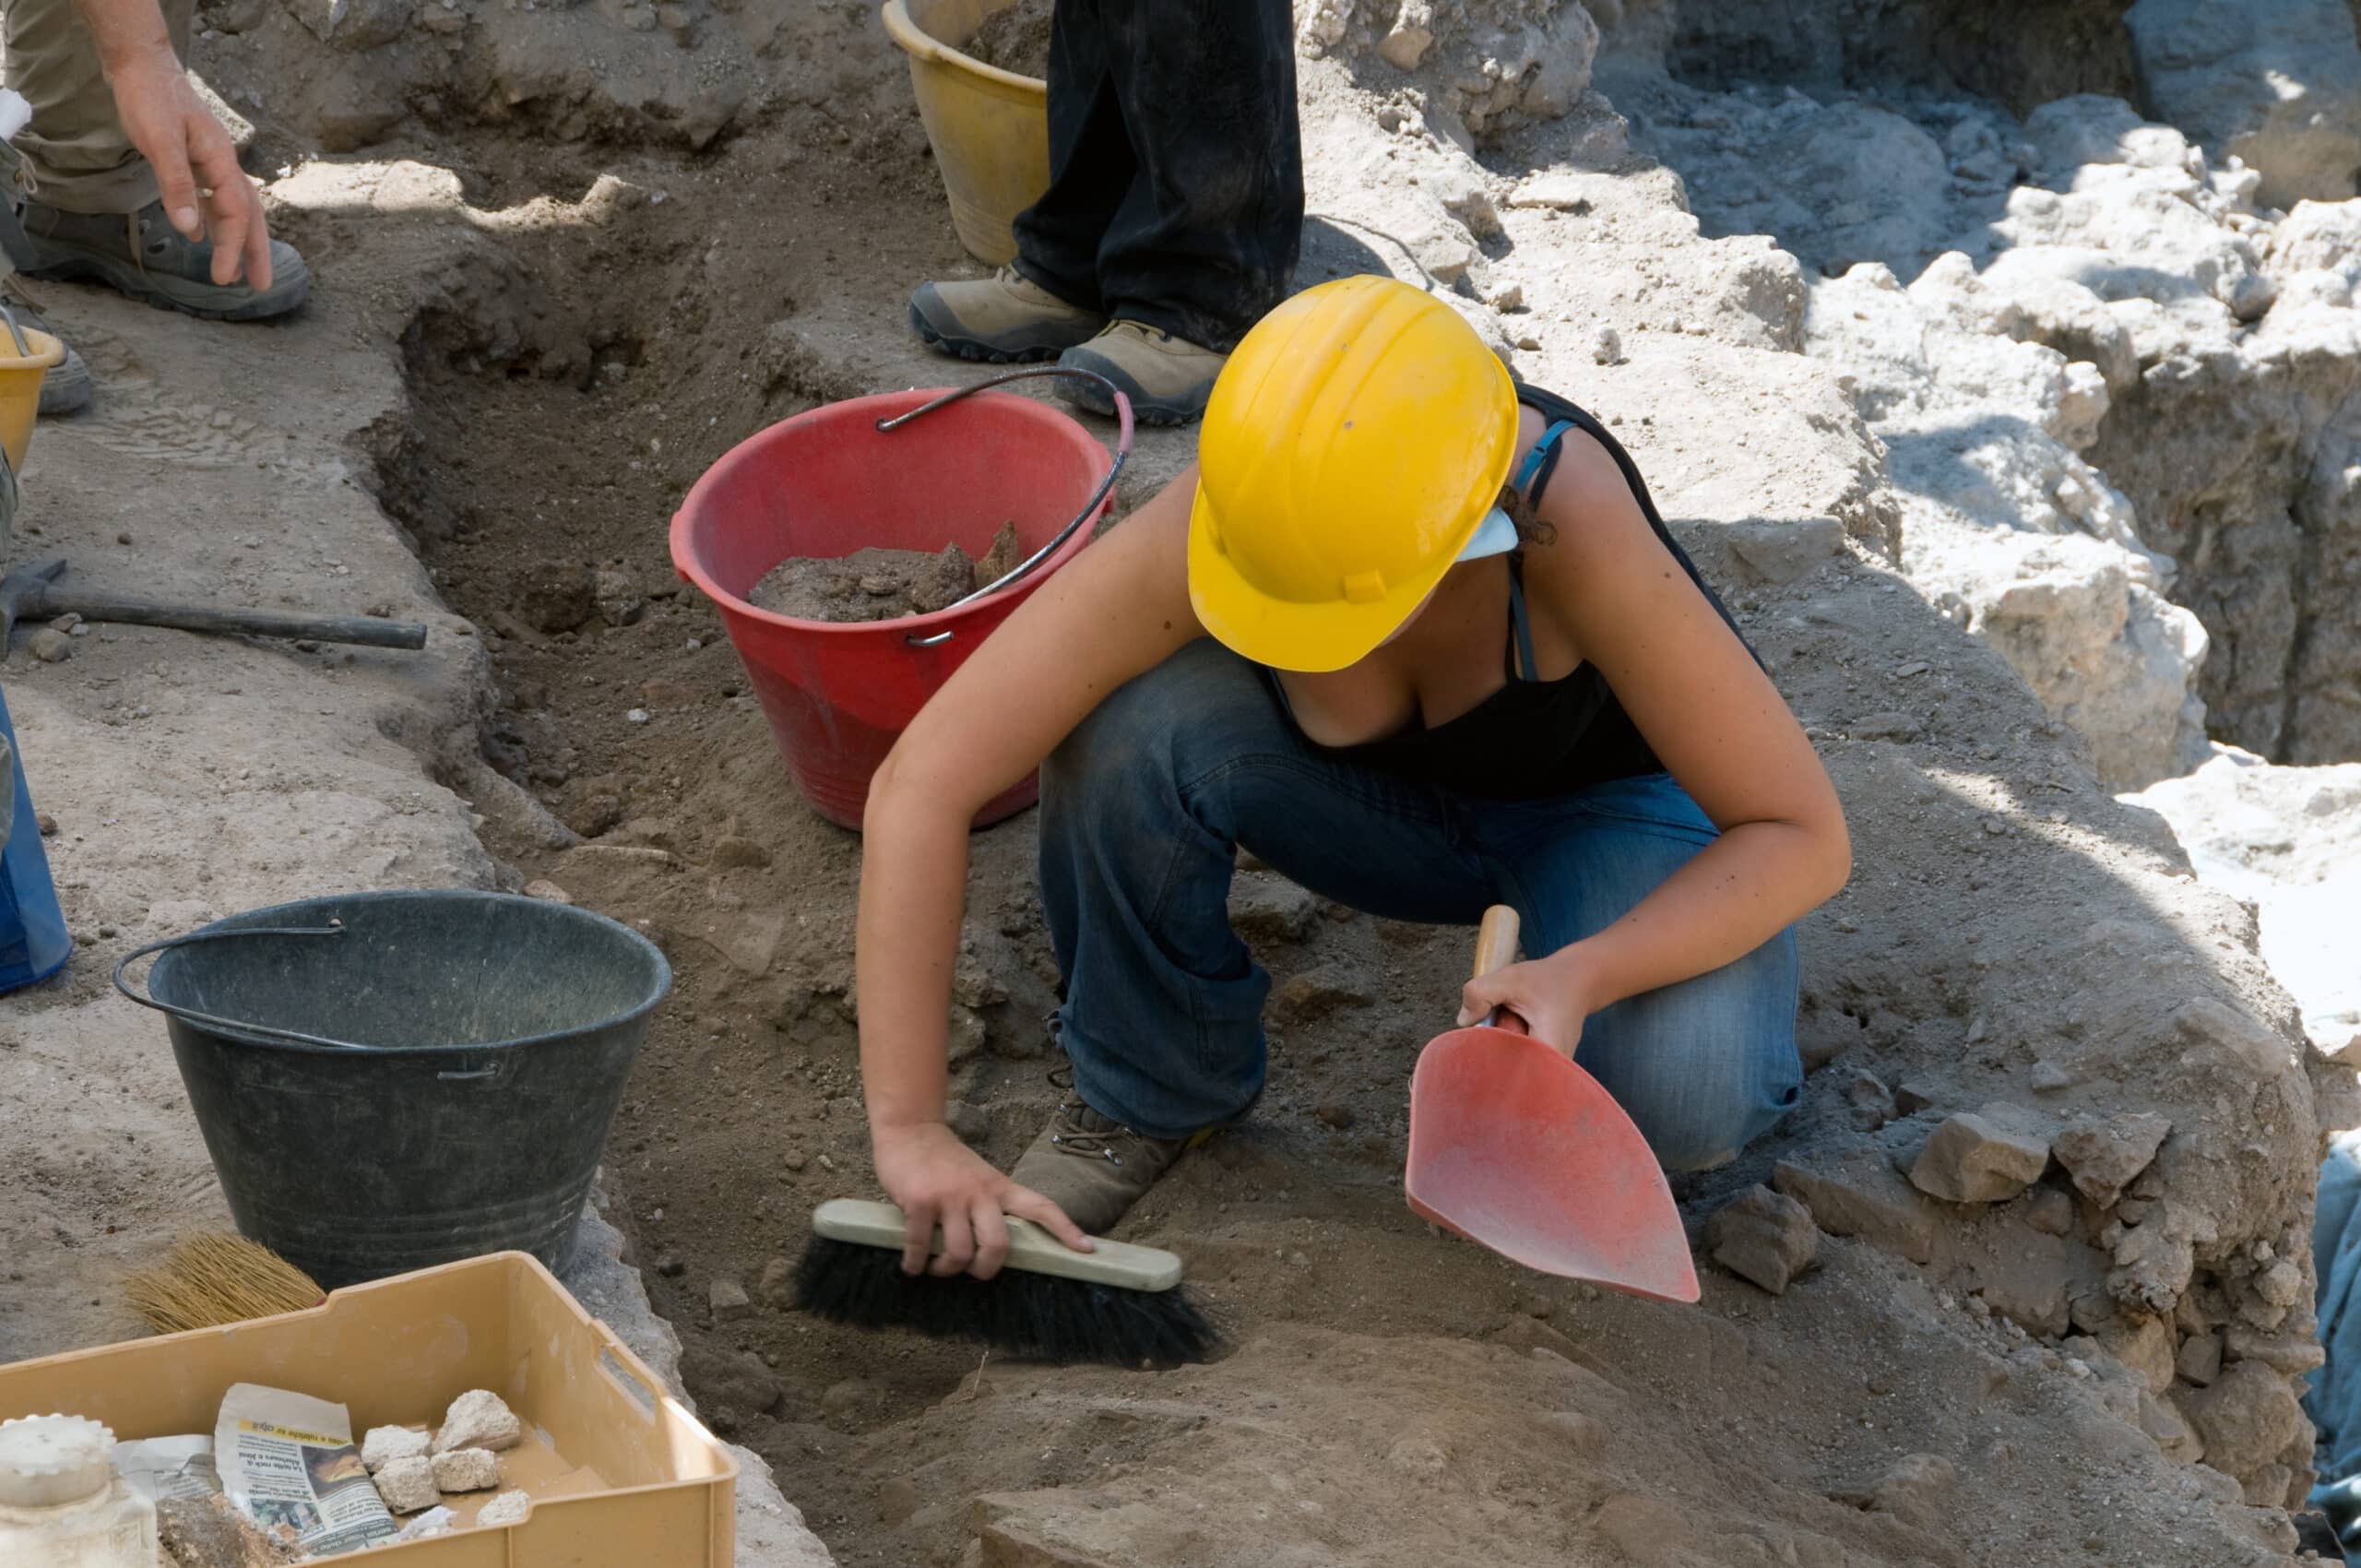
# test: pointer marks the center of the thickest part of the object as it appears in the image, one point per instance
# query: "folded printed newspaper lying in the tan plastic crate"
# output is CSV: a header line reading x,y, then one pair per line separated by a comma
x,y
289,1461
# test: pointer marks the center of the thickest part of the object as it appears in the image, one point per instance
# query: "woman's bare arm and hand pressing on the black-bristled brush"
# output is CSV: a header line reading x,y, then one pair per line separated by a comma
x,y
1111,615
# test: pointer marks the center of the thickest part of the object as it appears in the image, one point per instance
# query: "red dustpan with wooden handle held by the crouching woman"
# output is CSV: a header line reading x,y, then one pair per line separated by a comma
x,y
1522,1151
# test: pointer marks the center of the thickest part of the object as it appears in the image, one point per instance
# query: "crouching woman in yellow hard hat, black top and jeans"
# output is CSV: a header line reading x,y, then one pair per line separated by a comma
x,y
1418,639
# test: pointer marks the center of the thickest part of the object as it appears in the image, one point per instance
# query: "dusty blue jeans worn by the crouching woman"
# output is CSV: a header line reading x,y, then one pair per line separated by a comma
x,y
1142,818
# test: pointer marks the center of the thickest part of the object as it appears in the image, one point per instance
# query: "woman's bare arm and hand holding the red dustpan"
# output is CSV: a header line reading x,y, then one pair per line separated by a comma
x,y
1720,729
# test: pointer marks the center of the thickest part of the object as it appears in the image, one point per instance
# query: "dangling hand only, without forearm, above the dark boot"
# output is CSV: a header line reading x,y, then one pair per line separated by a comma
x,y
204,190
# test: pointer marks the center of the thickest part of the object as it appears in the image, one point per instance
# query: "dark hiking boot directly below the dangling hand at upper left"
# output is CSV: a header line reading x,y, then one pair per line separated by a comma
x,y
143,256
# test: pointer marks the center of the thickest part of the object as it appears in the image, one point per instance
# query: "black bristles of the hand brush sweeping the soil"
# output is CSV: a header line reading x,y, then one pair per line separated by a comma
x,y
1023,1314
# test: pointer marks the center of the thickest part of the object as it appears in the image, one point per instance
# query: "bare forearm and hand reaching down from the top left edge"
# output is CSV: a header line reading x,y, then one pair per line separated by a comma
x,y
183,143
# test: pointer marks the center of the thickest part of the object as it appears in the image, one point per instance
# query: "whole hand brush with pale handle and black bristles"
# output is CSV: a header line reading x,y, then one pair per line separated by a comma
x,y
1118,1305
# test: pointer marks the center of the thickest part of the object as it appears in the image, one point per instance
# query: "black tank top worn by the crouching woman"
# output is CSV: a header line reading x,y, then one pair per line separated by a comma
x,y
1533,738
